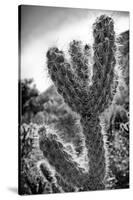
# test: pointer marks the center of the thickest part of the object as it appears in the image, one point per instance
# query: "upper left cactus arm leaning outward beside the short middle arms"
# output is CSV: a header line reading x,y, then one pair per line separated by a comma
x,y
64,79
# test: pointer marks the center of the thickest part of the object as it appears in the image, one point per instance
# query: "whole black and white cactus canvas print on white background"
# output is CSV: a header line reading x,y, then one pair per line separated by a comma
x,y
73,100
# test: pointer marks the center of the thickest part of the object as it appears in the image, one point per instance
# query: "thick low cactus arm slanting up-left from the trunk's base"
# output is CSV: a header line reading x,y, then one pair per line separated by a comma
x,y
62,161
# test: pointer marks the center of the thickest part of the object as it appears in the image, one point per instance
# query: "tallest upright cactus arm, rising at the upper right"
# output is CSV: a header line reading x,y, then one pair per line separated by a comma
x,y
104,61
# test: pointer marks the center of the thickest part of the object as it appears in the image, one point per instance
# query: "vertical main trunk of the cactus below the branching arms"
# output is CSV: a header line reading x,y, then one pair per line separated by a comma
x,y
96,152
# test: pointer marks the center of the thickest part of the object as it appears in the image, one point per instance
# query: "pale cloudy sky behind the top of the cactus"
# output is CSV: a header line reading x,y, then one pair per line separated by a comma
x,y
43,27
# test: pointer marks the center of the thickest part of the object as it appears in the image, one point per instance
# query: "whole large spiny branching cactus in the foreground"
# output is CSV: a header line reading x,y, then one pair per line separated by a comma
x,y
87,89
